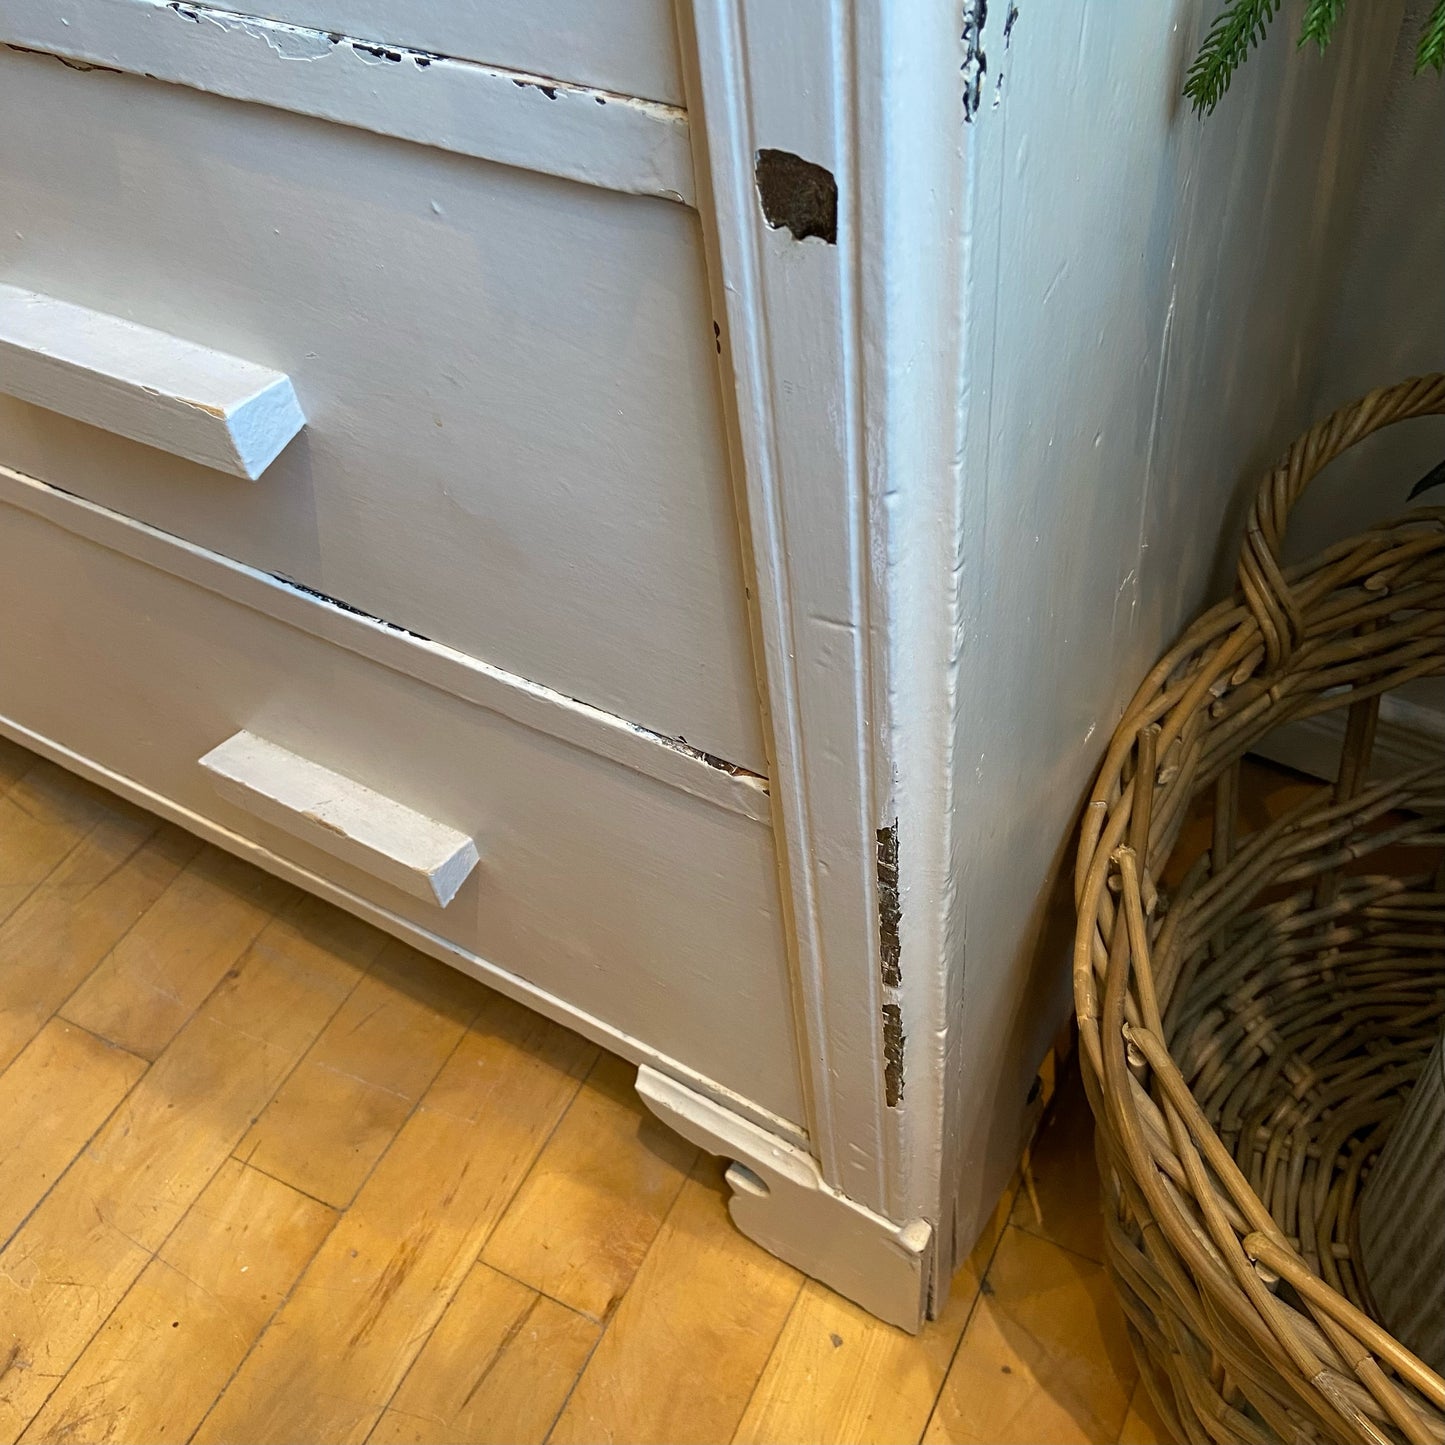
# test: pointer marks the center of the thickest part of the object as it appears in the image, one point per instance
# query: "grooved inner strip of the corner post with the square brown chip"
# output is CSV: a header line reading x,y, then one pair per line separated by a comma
x,y
771,80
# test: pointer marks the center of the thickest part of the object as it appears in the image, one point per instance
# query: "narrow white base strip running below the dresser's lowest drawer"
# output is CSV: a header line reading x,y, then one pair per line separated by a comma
x,y
765,1123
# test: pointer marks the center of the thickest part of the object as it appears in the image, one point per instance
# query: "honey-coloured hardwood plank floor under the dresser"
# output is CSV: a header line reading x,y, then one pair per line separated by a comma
x,y
267,1176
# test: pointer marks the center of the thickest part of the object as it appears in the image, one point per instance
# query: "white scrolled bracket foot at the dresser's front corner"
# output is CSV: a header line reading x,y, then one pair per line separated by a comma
x,y
781,1202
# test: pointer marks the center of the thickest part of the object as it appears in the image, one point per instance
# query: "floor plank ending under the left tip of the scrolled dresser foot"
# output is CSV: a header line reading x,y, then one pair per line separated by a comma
x,y
596,1199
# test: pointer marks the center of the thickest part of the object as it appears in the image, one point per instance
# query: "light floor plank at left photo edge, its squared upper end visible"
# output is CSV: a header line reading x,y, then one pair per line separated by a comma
x,y
53,1099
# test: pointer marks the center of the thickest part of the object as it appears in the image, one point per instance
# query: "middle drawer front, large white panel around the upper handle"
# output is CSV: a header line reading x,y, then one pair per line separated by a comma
x,y
514,437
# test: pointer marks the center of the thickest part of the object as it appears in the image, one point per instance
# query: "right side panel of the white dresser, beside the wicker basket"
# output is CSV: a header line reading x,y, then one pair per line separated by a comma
x,y
1147,332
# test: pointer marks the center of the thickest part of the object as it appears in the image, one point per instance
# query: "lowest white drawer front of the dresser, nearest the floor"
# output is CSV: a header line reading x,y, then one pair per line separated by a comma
x,y
639,905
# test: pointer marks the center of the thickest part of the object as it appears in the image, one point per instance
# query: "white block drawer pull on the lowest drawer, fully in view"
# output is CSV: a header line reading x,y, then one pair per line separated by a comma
x,y
346,819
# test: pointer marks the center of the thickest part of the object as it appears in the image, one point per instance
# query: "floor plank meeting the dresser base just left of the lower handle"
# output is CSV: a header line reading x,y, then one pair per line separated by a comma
x,y
147,989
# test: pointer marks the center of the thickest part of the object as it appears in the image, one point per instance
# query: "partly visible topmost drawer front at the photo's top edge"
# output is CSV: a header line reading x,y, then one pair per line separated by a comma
x,y
629,47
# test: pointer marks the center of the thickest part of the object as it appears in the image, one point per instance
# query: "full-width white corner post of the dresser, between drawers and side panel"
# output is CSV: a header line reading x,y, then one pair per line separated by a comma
x,y
845,362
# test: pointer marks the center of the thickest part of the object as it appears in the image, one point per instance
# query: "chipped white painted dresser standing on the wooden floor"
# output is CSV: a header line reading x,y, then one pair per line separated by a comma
x,y
574,482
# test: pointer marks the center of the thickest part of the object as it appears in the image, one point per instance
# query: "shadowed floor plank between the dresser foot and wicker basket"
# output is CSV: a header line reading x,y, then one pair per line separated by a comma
x,y
1045,1356
